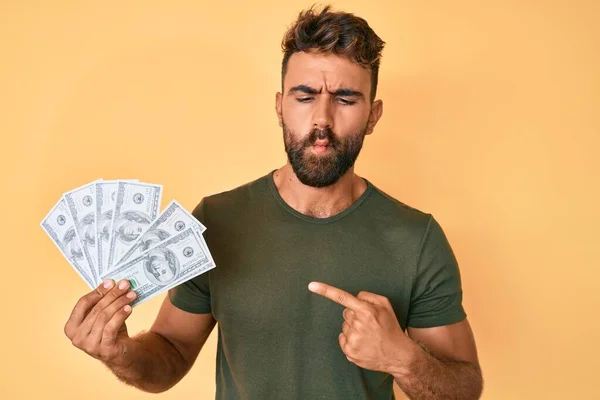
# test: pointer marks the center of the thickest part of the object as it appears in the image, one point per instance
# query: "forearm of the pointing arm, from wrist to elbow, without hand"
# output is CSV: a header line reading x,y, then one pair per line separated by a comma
x,y
430,377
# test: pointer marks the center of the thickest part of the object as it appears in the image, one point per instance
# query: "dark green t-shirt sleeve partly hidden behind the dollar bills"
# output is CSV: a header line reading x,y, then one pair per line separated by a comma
x,y
194,295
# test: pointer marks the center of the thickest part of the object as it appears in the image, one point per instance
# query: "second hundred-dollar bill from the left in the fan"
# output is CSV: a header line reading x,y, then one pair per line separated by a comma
x,y
81,203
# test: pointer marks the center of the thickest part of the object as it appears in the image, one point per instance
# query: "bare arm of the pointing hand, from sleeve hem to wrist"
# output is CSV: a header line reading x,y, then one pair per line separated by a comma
x,y
443,364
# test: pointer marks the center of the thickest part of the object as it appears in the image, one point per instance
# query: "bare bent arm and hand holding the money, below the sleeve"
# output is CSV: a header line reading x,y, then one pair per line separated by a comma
x,y
152,361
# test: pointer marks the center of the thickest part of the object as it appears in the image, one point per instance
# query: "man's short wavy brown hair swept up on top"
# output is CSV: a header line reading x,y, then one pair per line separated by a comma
x,y
338,32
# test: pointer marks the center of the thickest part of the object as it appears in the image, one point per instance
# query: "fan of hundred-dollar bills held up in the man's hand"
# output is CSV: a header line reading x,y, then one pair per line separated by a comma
x,y
113,230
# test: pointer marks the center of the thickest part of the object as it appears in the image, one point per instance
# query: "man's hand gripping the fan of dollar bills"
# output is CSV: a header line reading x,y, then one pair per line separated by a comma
x,y
97,322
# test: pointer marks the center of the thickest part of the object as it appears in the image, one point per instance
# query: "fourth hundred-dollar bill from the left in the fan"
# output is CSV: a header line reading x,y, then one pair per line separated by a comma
x,y
136,207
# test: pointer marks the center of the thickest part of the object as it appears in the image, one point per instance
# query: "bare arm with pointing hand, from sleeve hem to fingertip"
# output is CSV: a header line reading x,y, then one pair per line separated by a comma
x,y
429,364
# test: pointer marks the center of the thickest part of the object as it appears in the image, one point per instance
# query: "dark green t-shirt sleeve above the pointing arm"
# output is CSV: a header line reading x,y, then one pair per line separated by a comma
x,y
436,298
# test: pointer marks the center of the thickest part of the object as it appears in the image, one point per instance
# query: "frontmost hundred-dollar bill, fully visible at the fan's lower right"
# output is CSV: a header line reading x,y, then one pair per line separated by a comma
x,y
171,262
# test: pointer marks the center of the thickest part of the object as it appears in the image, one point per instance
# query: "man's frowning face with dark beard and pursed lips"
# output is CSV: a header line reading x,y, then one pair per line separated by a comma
x,y
325,112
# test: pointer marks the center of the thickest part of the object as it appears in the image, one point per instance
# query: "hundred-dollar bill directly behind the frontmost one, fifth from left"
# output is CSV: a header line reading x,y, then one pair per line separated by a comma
x,y
171,221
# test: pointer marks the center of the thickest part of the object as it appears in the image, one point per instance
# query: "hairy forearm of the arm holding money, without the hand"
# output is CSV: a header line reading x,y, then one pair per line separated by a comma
x,y
150,363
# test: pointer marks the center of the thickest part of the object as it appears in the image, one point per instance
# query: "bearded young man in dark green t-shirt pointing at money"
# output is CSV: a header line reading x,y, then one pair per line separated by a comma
x,y
320,275
